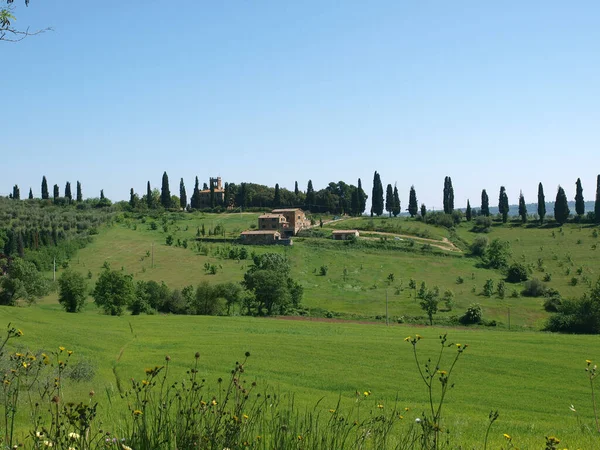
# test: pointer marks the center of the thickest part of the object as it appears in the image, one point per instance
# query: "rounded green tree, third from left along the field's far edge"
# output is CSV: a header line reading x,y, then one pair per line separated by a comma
x,y
114,291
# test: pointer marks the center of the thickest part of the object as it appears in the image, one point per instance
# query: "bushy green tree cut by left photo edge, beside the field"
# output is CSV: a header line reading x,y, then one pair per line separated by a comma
x,y
22,281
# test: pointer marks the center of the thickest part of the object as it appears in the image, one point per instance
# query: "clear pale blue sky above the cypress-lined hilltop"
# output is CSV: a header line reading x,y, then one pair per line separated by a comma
x,y
488,93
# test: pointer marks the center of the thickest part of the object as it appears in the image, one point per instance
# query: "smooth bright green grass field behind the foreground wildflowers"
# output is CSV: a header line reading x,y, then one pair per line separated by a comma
x,y
531,378
